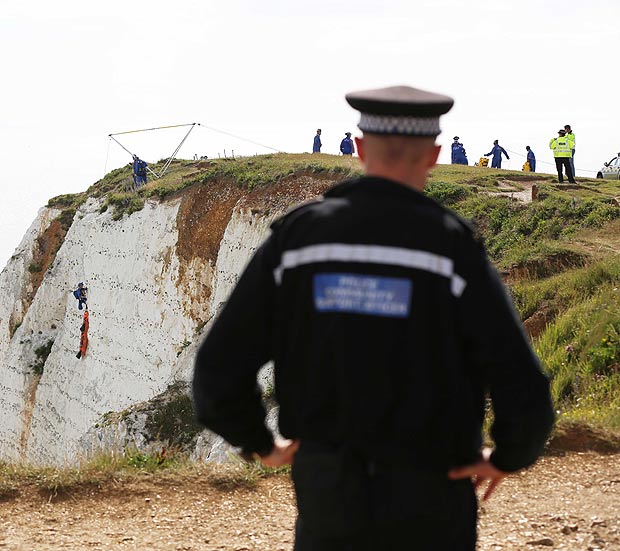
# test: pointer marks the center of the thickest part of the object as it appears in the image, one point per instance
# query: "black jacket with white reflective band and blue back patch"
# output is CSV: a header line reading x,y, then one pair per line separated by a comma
x,y
388,328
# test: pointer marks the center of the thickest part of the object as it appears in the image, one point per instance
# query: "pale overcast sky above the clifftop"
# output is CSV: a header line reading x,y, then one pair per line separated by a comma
x,y
274,71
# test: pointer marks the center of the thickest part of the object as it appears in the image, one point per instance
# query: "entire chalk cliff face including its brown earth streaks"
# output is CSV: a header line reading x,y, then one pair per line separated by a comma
x,y
155,279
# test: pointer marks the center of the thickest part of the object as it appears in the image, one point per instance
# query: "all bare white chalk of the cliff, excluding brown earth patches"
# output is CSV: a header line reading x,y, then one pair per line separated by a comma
x,y
148,308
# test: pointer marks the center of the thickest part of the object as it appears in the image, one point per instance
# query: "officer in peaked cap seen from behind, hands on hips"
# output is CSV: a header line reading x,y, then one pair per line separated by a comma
x,y
387,326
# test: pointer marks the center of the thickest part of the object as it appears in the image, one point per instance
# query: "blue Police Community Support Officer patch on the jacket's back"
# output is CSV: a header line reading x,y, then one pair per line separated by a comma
x,y
362,294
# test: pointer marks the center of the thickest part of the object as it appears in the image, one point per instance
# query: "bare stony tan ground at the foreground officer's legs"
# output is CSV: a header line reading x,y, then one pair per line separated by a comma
x,y
569,502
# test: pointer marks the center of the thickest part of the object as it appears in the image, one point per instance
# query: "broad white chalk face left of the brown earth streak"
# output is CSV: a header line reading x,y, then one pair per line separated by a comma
x,y
136,329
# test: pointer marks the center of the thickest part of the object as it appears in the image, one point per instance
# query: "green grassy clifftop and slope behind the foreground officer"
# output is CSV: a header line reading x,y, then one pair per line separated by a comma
x,y
559,254
